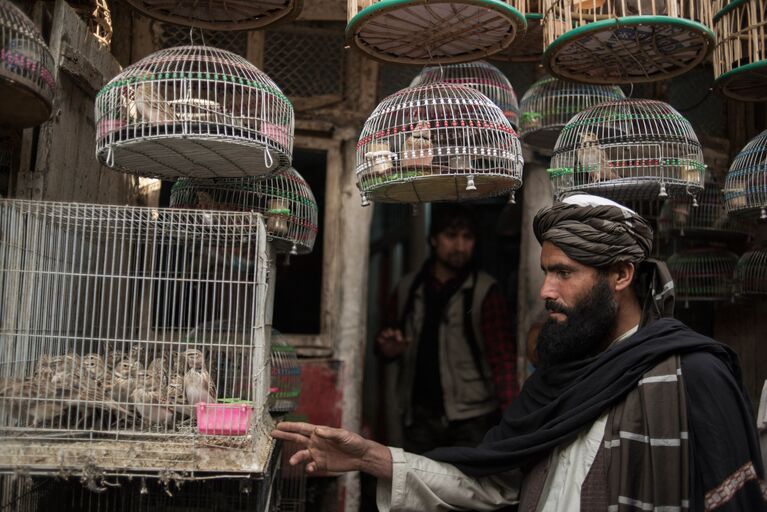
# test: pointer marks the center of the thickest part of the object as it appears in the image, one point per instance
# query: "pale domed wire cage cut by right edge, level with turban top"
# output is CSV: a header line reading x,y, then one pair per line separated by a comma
x,y
745,187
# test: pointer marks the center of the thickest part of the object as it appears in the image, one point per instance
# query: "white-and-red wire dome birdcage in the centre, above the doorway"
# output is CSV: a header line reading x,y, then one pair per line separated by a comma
x,y
437,142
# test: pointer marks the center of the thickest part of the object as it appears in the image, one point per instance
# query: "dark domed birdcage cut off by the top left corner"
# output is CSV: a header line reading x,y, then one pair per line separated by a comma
x,y
26,70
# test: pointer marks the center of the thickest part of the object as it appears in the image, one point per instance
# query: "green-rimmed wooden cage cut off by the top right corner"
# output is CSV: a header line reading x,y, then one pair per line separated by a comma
x,y
740,55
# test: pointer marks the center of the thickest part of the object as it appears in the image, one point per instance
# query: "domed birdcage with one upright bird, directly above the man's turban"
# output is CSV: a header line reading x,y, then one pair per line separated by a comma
x,y
628,149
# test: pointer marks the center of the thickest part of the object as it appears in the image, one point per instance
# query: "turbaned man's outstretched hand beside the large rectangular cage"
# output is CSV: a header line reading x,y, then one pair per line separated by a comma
x,y
329,450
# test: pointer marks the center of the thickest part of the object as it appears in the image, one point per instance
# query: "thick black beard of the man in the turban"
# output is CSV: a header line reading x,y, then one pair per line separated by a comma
x,y
583,332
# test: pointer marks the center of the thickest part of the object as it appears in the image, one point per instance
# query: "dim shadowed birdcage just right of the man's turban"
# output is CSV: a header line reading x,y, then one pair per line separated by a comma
x,y
702,274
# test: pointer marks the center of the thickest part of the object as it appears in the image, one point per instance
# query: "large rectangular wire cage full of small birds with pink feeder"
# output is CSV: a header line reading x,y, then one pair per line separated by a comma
x,y
135,334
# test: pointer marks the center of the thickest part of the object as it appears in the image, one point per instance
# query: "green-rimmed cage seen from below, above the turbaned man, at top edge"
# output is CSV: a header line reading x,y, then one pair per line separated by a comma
x,y
625,41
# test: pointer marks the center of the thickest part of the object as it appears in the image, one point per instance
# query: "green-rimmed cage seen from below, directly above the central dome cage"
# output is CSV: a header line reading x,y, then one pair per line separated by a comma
x,y
429,32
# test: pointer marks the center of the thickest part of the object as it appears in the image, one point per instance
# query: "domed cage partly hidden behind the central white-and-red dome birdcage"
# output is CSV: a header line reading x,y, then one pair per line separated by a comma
x,y
479,75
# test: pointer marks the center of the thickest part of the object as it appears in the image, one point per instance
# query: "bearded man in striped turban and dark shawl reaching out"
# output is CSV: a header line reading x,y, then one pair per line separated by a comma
x,y
626,412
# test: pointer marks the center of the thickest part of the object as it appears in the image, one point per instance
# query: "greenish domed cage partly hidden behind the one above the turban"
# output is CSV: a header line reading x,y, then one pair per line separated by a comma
x,y
550,103
